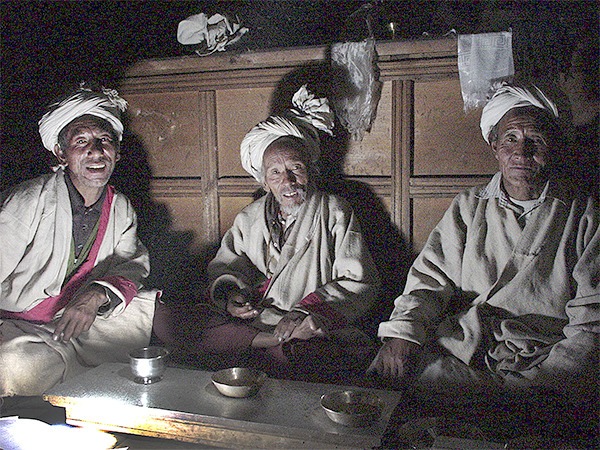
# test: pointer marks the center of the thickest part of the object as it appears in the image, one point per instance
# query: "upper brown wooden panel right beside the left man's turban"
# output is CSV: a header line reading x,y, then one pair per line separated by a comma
x,y
169,128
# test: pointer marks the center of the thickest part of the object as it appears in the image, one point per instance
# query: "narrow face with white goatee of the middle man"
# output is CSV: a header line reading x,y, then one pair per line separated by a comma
x,y
285,169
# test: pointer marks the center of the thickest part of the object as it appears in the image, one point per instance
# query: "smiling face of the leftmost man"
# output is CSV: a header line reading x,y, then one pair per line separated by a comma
x,y
91,150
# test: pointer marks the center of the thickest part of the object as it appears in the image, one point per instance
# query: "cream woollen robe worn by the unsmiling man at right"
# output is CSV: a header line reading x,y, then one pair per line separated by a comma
x,y
523,301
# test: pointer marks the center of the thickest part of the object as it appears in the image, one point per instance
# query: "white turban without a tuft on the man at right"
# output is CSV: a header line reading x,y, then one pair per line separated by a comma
x,y
508,97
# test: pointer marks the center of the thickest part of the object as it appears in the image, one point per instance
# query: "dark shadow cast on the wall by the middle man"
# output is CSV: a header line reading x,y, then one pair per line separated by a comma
x,y
389,248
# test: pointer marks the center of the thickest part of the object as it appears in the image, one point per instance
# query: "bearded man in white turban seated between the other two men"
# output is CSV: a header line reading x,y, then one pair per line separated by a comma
x,y
293,274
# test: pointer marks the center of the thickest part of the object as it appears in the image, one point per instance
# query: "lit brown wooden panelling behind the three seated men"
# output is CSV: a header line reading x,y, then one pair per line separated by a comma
x,y
192,113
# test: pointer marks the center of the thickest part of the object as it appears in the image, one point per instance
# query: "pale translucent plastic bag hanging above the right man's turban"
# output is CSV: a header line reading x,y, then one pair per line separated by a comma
x,y
483,60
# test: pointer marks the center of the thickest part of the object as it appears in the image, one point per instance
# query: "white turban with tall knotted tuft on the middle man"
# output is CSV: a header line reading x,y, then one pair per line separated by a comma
x,y
302,122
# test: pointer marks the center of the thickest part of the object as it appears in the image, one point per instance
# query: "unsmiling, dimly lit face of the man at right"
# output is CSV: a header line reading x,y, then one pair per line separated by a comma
x,y
522,149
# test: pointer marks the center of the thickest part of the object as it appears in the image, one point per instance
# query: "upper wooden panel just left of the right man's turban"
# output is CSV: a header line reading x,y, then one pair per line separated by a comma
x,y
446,140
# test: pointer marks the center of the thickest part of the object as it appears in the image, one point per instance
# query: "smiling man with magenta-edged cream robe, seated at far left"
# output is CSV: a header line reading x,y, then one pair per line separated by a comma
x,y
71,264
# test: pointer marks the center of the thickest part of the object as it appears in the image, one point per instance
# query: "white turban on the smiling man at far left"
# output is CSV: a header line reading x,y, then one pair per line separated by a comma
x,y
106,105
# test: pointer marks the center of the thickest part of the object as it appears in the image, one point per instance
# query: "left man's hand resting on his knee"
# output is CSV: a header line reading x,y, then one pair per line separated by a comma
x,y
80,313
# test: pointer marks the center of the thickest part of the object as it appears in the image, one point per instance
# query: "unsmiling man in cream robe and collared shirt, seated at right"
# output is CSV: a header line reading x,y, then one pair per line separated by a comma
x,y
505,292
